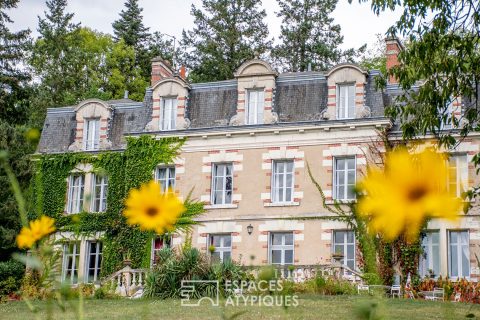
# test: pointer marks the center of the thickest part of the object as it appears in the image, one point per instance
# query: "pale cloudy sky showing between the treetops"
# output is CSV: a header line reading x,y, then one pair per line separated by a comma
x,y
359,24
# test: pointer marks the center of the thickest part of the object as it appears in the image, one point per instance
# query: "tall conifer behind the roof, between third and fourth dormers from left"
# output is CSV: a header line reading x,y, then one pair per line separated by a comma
x,y
309,36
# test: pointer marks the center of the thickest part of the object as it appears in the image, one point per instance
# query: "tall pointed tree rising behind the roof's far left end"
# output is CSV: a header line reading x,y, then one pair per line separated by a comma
x,y
53,55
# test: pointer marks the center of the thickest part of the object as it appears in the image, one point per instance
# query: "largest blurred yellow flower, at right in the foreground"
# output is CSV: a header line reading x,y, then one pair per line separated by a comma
x,y
410,189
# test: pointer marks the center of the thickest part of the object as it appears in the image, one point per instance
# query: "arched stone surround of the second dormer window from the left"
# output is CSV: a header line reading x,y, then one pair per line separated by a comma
x,y
169,88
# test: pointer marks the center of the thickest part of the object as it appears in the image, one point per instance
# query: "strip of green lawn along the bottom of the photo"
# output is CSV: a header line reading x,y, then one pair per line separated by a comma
x,y
310,307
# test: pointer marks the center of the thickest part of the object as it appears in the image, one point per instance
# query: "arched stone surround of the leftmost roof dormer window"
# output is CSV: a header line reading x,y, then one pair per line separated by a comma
x,y
92,109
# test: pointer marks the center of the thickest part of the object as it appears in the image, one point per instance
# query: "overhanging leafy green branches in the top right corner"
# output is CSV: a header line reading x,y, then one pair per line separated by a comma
x,y
443,54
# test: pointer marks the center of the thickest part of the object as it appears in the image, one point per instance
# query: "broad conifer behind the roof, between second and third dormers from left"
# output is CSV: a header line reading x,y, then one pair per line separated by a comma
x,y
226,34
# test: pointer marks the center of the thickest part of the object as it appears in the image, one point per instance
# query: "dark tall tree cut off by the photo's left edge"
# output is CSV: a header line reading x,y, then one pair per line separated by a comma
x,y
14,94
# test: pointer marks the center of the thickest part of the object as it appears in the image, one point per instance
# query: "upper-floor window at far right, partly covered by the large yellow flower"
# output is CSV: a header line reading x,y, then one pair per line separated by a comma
x,y
458,174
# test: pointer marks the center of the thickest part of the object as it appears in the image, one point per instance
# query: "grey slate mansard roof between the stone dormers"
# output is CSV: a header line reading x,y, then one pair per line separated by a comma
x,y
298,97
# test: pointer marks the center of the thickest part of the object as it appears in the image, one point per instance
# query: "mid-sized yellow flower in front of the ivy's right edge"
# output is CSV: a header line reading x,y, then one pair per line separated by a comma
x,y
153,210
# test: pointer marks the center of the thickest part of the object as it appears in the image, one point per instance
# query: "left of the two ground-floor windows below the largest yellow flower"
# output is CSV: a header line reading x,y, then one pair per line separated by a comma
x,y
430,258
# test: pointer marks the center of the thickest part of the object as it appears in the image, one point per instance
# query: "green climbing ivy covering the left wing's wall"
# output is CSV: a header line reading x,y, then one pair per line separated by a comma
x,y
125,170
